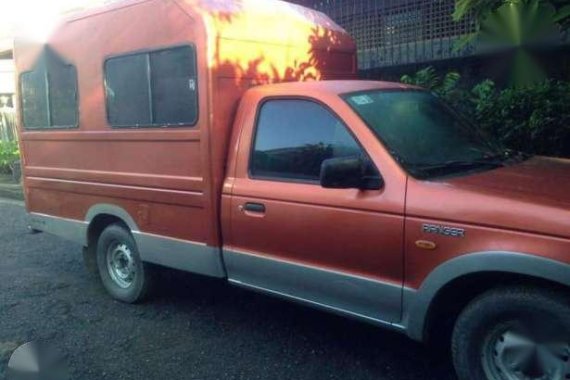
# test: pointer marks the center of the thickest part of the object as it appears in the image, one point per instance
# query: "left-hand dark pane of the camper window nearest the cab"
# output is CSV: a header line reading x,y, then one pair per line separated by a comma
x,y
128,94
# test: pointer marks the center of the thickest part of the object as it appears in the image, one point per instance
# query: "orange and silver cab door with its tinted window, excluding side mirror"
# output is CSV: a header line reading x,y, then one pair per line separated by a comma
x,y
338,249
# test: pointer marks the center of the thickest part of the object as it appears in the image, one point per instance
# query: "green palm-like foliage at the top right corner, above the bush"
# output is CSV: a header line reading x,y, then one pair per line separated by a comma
x,y
519,25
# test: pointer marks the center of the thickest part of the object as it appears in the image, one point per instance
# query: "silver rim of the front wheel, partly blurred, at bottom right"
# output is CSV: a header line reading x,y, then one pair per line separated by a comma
x,y
509,354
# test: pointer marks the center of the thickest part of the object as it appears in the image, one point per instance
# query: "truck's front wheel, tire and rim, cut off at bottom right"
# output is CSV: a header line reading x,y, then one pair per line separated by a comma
x,y
516,333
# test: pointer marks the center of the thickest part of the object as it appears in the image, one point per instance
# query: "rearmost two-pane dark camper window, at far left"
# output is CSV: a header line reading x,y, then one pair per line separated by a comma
x,y
49,93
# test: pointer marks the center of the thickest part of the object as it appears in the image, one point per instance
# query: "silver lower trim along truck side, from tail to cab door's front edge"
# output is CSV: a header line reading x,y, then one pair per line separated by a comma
x,y
357,297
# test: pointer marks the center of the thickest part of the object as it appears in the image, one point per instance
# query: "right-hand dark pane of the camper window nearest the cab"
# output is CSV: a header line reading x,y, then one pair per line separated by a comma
x,y
174,86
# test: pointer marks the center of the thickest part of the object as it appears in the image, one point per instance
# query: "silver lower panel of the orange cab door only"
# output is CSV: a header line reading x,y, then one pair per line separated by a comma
x,y
341,293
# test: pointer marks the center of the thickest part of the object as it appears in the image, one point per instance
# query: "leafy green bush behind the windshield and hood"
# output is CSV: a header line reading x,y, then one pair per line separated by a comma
x,y
534,119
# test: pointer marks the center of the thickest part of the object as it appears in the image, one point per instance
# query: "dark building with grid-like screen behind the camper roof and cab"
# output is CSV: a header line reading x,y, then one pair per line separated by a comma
x,y
401,36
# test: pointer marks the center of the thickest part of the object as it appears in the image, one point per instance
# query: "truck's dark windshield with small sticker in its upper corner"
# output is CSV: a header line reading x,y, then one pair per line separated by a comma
x,y
425,135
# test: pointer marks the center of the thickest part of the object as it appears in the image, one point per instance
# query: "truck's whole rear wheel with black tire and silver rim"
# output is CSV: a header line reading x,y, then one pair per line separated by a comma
x,y
123,274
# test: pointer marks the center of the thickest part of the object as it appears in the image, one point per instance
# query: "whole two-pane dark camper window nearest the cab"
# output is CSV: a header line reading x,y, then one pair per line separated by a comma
x,y
153,88
